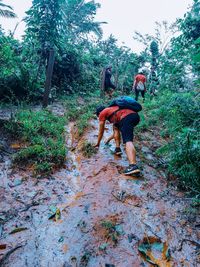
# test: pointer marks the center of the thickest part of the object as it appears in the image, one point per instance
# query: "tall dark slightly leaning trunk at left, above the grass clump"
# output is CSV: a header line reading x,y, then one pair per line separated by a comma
x,y
49,74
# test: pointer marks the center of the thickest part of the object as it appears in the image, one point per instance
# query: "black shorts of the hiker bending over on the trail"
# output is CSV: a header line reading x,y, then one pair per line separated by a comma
x,y
126,126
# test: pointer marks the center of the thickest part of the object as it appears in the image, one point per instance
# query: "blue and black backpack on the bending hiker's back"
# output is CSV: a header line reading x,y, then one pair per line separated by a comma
x,y
125,102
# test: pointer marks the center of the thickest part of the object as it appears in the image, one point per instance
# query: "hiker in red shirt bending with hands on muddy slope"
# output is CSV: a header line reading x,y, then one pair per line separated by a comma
x,y
123,114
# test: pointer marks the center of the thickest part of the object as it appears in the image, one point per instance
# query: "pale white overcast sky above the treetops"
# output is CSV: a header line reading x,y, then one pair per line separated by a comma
x,y
123,17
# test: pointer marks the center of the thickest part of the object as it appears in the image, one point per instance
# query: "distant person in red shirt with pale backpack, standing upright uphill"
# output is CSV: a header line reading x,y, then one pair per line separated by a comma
x,y
139,85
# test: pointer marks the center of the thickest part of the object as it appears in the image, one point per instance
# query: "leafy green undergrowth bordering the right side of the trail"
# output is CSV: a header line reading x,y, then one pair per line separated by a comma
x,y
177,114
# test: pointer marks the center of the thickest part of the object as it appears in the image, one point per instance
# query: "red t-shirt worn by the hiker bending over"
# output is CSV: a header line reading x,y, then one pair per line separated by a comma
x,y
122,113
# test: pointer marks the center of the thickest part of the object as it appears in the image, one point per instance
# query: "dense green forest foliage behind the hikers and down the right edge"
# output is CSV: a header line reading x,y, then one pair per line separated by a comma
x,y
70,28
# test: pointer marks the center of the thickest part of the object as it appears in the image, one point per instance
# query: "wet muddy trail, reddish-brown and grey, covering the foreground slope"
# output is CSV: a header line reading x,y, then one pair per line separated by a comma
x,y
90,214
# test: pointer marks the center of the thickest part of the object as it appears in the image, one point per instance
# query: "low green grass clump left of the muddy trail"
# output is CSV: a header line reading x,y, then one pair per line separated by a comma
x,y
43,136
